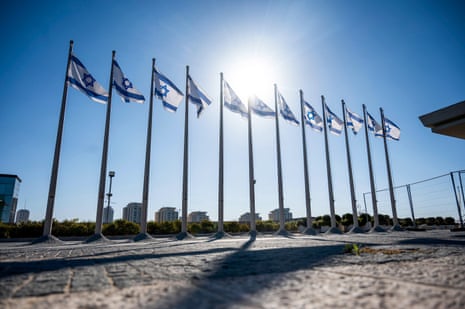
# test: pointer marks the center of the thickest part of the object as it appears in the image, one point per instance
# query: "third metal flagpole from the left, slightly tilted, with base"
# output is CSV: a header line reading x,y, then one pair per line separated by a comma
x,y
145,193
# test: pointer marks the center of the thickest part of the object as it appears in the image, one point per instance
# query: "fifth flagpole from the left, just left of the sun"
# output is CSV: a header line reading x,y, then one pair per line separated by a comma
x,y
220,232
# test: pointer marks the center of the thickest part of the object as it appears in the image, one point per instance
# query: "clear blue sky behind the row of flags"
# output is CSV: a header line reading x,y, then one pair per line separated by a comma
x,y
404,56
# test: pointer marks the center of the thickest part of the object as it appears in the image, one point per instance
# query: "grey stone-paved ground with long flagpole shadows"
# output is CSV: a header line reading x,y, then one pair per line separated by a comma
x,y
394,270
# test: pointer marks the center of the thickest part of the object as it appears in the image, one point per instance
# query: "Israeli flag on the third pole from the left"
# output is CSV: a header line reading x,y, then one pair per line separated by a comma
x,y
166,91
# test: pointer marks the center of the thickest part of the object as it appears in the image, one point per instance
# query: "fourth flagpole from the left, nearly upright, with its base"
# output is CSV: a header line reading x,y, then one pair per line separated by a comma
x,y
184,232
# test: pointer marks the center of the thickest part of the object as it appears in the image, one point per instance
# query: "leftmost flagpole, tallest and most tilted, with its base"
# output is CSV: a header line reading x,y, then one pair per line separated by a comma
x,y
47,232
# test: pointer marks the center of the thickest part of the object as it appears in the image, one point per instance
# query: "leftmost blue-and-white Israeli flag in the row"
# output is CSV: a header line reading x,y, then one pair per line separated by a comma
x,y
80,79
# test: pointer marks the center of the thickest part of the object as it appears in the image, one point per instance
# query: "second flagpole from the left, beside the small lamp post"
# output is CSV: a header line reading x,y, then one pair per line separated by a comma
x,y
103,168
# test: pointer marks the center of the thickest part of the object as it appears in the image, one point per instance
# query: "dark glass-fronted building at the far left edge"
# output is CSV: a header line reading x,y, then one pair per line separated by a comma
x,y
9,191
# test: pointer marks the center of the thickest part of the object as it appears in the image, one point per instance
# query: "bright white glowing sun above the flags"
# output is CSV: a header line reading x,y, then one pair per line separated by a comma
x,y
252,76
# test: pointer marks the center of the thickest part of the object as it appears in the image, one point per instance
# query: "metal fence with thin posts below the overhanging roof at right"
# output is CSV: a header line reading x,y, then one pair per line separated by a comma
x,y
440,196
